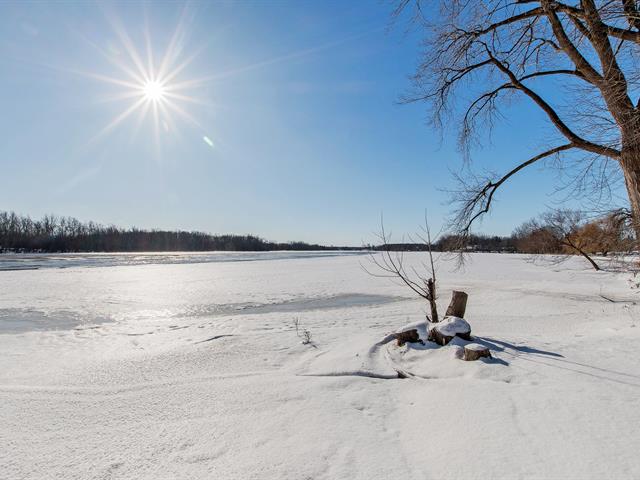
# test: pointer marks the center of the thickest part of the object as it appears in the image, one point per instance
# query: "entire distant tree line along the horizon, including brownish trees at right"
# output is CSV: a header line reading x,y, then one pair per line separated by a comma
x,y
555,232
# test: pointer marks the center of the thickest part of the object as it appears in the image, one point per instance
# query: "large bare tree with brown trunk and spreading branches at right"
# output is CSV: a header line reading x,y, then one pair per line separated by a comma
x,y
480,54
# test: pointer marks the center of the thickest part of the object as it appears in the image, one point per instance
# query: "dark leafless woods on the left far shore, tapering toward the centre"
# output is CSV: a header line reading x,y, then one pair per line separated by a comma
x,y
20,233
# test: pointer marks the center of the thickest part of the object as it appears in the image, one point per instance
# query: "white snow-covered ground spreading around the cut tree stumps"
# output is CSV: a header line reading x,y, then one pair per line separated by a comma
x,y
195,371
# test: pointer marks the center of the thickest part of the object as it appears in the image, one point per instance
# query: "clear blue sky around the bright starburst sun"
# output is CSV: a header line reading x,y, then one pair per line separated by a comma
x,y
300,103
